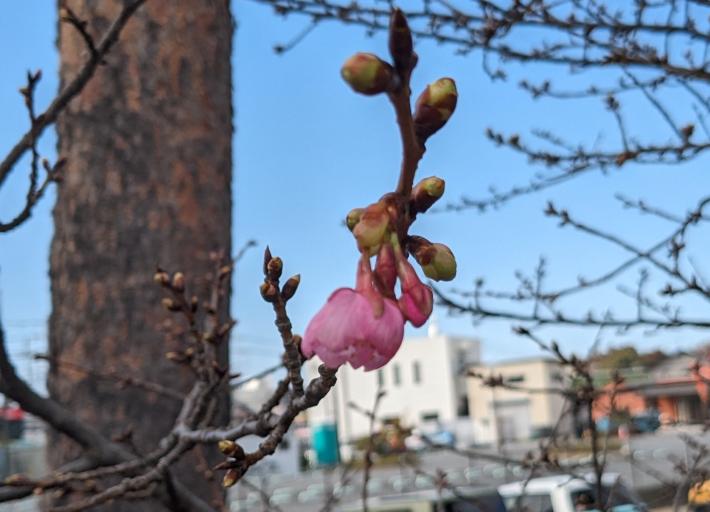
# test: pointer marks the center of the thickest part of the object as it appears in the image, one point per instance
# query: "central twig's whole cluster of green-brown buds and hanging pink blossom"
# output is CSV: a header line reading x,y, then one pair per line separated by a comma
x,y
364,326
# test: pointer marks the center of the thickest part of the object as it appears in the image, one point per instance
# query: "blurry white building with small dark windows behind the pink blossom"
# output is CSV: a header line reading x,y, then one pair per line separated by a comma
x,y
425,387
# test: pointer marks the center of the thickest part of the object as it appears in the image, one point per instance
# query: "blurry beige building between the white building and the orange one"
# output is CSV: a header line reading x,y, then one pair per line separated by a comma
x,y
500,414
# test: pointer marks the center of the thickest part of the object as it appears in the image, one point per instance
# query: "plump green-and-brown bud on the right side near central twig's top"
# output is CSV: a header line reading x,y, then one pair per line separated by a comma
x,y
434,107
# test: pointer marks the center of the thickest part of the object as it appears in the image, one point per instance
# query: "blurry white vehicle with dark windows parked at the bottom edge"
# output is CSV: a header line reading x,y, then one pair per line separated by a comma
x,y
566,493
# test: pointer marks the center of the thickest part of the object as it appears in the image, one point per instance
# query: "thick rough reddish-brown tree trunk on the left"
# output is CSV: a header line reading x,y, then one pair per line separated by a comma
x,y
148,182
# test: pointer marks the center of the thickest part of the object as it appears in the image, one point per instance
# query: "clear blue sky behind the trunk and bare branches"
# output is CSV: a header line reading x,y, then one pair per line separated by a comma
x,y
307,149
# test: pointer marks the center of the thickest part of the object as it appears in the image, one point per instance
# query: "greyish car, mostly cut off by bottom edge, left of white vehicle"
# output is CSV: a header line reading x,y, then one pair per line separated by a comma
x,y
466,499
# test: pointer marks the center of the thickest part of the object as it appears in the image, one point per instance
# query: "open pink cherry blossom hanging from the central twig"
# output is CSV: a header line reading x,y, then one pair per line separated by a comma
x,y
356,326
